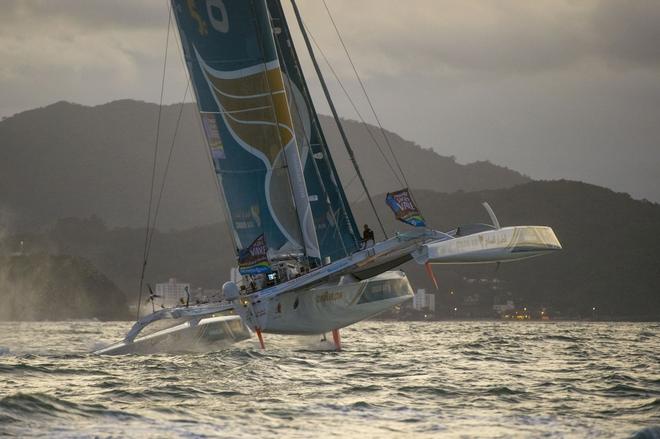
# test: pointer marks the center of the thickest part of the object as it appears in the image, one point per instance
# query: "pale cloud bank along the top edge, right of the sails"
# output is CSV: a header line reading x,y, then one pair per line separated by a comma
x,y
508,37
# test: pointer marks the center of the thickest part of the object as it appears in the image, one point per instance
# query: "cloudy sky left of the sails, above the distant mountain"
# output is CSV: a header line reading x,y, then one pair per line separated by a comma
x,y
84,51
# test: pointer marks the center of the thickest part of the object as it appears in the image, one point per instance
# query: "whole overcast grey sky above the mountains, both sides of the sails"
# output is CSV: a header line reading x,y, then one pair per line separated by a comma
x,y
550,88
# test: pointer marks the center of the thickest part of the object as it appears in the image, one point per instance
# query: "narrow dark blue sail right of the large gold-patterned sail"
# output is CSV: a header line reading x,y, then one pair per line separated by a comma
x,y
337,232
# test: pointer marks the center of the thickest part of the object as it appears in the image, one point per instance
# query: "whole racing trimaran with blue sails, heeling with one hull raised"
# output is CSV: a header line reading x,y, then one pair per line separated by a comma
x,y
303,265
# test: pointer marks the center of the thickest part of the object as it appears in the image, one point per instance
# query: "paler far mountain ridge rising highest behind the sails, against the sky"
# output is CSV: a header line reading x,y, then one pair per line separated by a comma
x,y
70,160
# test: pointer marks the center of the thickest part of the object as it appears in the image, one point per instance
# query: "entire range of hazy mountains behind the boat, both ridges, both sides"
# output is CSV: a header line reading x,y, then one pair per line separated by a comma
x,y
75,182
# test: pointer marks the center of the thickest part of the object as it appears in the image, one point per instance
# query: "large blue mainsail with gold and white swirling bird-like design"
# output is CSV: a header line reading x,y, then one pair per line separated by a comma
x,y
232,60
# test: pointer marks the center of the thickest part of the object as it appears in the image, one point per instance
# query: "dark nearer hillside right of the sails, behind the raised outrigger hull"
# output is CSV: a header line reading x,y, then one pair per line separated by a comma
x,y
610,260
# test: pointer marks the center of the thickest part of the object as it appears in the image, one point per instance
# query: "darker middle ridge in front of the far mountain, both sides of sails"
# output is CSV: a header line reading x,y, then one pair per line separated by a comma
x,y
611,256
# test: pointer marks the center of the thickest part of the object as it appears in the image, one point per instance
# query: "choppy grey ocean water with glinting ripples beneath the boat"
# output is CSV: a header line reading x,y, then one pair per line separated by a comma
x,y
392,379
